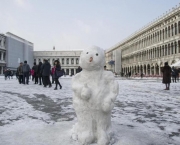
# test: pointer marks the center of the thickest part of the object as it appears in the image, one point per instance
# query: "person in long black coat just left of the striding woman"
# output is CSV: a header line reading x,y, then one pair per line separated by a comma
x,y
46,70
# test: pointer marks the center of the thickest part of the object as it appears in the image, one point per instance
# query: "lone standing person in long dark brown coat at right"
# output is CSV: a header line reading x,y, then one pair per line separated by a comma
x,y
166,75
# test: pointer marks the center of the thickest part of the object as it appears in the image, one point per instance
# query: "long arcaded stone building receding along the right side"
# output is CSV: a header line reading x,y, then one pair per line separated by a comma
x,y
147,50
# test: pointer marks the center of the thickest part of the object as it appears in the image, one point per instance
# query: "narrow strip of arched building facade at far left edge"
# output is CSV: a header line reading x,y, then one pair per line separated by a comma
x,y
2,53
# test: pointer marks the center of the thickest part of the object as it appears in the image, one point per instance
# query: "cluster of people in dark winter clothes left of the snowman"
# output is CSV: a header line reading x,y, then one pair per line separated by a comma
x,y
40,73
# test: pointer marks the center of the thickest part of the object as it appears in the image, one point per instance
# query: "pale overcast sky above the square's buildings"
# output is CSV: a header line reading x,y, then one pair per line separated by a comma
x,y
77,24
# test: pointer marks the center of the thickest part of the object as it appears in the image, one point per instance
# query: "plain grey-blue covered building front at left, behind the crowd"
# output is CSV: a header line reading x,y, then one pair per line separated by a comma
x,y
18,50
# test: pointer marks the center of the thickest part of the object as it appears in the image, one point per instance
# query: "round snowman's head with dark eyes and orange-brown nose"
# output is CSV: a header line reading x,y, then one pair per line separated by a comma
x,y
92,58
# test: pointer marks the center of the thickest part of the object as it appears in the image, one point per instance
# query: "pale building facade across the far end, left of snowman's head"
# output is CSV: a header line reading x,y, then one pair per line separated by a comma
x,y
69,59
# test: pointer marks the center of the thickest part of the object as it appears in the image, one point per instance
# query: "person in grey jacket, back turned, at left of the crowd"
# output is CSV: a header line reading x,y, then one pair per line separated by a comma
x,y
26,70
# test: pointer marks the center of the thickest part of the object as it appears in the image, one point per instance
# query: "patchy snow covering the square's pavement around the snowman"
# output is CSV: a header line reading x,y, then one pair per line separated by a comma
x,y
144,113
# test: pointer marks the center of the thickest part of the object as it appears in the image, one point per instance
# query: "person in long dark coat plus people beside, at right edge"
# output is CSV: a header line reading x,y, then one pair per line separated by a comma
x,y
168,73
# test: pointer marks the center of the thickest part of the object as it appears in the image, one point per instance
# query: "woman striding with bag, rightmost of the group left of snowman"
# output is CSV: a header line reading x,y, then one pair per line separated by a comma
x,y
56,74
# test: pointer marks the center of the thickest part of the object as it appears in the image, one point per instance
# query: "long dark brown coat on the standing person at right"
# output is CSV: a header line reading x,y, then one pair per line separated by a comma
x,y
166,74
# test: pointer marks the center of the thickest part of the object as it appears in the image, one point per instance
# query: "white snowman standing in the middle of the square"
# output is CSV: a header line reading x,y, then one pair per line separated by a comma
x,y
94,93
